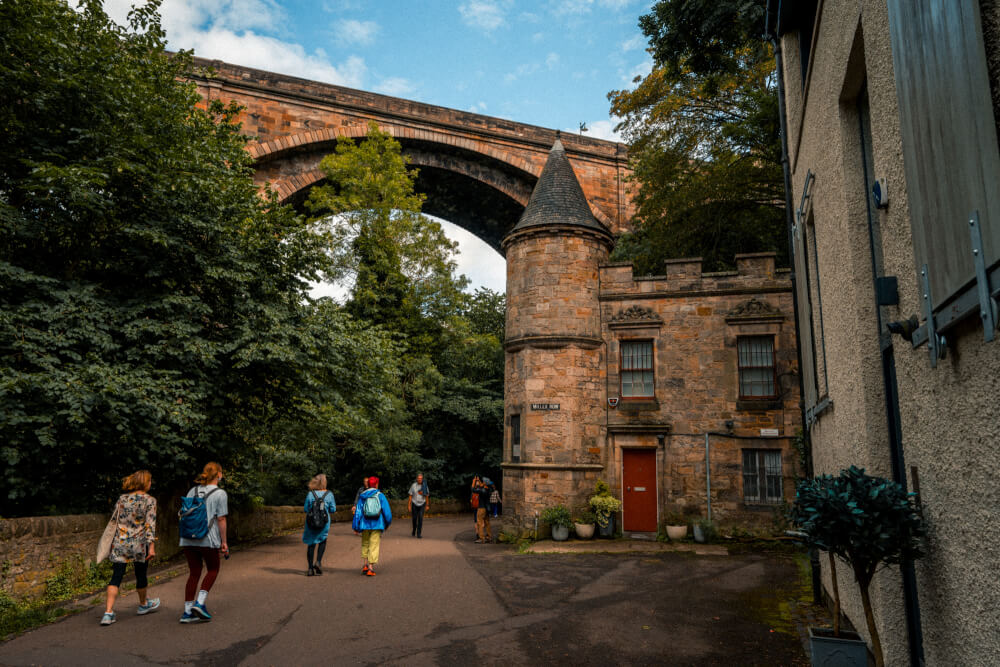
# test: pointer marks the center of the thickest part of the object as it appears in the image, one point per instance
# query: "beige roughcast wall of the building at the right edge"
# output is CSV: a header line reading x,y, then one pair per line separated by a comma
x,y
948,415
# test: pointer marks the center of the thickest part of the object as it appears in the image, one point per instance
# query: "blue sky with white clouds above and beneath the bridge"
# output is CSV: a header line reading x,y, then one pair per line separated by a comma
x,y
547,62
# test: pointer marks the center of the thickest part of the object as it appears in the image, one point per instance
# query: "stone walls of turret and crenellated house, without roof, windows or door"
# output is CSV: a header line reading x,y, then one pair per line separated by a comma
x,y
694,321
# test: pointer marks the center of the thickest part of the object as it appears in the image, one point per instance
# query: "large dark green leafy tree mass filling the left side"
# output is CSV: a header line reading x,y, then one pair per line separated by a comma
x,y
154,309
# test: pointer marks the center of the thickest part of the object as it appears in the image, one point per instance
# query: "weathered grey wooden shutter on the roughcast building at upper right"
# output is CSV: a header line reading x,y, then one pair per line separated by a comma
x,y
949,135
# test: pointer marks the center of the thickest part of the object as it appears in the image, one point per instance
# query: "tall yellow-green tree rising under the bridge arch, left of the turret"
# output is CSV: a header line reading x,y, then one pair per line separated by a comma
x,y
404,281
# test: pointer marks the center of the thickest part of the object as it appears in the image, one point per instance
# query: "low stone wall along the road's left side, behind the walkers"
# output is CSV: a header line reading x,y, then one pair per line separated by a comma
x,y
32,549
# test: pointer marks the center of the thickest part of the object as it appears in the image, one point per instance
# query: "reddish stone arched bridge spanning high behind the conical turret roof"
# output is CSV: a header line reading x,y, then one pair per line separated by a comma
x,y
477,171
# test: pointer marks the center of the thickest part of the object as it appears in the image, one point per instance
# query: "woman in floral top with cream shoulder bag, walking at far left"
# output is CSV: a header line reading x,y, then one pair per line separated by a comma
x,y
135,541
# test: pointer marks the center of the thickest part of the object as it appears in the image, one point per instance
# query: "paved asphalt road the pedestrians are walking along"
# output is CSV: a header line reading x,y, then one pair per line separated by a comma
x,y
443,600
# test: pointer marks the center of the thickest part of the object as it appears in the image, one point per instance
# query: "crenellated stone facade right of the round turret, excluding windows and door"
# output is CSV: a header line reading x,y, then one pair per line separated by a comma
x,y
694,320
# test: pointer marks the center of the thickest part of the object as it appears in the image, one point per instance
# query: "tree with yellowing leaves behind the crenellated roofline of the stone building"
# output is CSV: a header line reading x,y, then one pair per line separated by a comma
x,y
703,134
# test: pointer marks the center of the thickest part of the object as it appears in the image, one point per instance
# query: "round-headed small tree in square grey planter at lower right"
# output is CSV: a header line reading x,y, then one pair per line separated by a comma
x,y
867,522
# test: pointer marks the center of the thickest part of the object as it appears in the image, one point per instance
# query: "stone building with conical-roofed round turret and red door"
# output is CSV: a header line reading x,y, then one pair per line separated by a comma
x,y
680,390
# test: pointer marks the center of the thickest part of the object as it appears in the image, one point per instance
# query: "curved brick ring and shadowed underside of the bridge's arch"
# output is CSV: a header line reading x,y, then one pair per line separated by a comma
x,y
484,193
